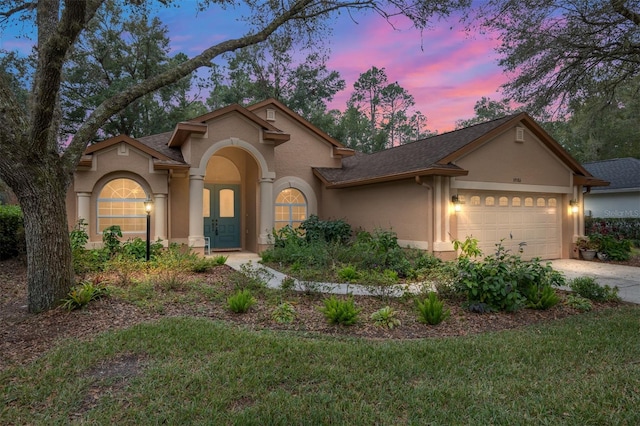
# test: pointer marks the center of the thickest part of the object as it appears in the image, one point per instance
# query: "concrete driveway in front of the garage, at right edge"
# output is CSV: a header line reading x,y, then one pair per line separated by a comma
x,y
626,278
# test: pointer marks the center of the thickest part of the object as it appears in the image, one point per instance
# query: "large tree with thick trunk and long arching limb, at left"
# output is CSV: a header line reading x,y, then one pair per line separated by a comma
x,y
31,161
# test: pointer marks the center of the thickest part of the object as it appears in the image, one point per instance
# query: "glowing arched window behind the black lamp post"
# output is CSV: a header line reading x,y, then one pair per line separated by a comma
x,y
121,202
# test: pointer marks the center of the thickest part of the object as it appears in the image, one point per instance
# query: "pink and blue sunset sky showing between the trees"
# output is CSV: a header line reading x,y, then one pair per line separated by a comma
x,y
446,70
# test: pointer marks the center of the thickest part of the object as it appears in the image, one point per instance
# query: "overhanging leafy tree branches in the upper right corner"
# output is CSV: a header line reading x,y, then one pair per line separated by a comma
x,y
561,51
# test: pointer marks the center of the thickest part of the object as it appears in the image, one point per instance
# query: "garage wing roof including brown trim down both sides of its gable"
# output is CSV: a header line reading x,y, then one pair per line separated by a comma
x,y
435,156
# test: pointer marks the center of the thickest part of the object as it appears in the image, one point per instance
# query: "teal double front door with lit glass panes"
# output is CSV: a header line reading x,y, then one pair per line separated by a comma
x,y
221,213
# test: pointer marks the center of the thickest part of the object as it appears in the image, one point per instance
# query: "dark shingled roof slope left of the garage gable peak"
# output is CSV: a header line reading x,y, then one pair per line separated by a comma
x,y
417,157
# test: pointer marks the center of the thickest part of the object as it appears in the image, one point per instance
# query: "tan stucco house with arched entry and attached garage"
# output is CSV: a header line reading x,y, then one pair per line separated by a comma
x,y
226,179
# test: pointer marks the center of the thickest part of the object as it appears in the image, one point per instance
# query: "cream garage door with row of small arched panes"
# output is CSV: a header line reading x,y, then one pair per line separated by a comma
x,y
534,219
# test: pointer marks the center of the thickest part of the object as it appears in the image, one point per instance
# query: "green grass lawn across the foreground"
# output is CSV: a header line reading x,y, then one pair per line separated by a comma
x,y
581,370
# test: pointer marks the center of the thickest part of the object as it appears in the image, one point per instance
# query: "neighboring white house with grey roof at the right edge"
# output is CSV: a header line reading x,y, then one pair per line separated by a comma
x,y
622,197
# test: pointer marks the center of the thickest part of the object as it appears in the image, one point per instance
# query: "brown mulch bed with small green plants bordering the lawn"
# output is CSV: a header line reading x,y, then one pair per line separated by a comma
x,y
24,336
